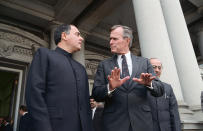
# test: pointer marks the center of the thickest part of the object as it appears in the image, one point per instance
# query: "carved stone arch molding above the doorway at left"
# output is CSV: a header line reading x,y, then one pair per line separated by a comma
x,y
17,42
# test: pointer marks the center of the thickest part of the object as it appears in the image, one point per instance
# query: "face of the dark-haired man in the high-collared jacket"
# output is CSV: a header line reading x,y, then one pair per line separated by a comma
x,y
74,39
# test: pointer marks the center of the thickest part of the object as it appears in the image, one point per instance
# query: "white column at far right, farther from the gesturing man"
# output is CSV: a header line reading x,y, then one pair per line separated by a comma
x,y
183,52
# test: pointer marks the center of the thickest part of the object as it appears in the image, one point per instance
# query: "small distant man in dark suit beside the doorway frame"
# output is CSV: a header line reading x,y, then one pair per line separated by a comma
x,y
24,124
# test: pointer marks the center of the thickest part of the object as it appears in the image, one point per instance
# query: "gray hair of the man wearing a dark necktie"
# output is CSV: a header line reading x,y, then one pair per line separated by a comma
x,y
127,32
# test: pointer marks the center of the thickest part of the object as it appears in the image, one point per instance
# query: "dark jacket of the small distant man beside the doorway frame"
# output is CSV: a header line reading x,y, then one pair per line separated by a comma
x,y
24,124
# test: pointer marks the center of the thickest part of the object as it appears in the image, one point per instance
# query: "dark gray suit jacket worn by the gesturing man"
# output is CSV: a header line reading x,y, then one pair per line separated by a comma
x,y
128,104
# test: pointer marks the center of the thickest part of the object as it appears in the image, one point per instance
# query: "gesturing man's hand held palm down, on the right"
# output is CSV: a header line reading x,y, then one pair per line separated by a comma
x,y
145,79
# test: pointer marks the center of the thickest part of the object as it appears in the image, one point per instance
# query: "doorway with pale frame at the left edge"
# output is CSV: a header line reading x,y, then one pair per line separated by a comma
x,y
10,93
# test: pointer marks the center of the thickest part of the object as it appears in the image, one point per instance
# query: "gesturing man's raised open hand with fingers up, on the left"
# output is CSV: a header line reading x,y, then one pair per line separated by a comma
x,y
114,79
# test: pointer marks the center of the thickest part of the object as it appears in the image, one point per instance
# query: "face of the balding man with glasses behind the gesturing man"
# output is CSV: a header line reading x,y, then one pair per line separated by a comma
x,y
157,66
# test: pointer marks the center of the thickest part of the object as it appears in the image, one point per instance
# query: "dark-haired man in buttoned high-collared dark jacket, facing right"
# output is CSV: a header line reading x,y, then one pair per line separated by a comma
x,y
57,92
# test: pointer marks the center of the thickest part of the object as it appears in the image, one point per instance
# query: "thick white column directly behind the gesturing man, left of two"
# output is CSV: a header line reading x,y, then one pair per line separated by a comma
x,y
154,40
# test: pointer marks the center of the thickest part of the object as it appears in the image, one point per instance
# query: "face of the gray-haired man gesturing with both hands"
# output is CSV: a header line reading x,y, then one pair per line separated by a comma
x,y
118,44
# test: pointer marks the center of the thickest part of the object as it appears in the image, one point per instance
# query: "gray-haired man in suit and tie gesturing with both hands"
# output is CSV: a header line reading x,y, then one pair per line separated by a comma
x,y
126,104
